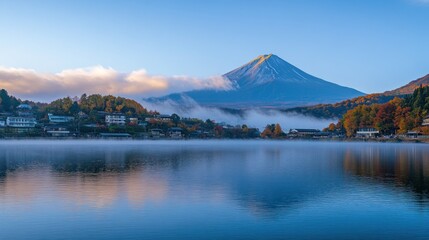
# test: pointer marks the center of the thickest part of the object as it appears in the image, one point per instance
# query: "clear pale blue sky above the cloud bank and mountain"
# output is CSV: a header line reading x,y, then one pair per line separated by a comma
x,y
373,45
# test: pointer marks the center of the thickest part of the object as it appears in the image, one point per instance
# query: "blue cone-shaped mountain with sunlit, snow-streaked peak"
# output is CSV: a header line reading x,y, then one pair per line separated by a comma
x,y
268,81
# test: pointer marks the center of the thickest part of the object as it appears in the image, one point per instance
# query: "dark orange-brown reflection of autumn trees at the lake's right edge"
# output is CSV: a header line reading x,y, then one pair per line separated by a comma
x,y
402,165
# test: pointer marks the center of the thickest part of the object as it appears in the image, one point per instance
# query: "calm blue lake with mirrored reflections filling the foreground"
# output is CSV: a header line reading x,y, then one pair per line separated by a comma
x,y
213,190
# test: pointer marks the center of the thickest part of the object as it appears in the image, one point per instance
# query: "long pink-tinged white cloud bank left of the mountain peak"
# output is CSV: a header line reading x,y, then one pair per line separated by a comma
x,y
30,84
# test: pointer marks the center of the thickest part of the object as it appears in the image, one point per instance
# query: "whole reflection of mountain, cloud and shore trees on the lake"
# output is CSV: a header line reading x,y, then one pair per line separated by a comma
x,y
266,178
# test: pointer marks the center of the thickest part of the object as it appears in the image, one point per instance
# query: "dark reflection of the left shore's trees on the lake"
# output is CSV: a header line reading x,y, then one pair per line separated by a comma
x,y
93,160
